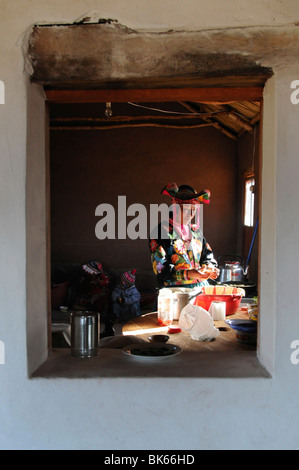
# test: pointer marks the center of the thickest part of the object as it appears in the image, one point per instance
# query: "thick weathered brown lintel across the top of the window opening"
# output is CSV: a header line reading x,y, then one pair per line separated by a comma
x,y
111,53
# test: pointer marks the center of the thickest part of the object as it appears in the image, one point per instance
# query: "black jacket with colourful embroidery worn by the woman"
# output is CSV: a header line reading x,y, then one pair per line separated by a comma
x,y
172,257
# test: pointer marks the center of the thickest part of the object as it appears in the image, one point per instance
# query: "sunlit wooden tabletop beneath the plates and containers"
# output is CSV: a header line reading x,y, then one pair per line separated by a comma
x,y
147,325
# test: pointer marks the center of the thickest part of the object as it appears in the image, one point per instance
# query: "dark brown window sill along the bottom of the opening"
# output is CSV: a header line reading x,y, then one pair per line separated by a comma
x,y
115,364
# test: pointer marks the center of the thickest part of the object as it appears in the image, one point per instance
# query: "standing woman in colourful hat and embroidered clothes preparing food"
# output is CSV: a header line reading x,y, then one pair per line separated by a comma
x,y
180,254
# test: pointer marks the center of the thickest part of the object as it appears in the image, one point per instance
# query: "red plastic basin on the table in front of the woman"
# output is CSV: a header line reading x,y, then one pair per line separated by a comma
x,y
232,296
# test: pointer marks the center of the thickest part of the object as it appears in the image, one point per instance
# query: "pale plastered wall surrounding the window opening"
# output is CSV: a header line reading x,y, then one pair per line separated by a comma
x,y
142,413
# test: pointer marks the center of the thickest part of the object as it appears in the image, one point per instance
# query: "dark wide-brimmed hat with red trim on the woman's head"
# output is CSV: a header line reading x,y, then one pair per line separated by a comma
x,y
185,193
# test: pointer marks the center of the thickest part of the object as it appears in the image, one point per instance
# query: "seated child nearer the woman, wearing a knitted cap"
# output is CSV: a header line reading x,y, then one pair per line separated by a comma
x,y
125,297
